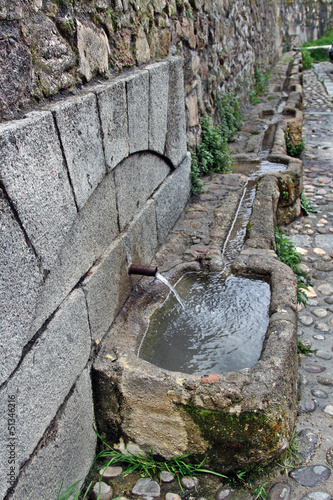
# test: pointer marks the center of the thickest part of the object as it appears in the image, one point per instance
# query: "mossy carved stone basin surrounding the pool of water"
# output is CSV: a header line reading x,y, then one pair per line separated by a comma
x,y
234,419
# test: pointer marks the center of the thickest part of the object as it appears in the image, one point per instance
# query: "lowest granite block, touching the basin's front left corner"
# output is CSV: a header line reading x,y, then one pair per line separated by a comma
x,y
68,451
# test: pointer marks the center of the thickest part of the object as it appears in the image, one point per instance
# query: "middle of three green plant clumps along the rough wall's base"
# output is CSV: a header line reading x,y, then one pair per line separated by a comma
x,y
229,115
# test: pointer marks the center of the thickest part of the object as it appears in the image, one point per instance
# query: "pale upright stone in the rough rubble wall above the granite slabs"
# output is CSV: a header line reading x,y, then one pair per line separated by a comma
x,y
94,50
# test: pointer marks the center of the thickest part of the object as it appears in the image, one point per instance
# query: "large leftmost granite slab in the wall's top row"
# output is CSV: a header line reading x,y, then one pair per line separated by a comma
x,y
35,178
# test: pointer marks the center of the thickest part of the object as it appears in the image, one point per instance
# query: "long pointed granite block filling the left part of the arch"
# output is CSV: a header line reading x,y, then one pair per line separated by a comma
x,y
93,231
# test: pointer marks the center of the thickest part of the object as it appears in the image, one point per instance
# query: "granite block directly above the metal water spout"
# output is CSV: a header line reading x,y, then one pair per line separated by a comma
x,y
141,237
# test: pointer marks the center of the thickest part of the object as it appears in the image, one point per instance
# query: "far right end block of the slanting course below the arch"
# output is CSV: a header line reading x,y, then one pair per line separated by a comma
x,y
171,199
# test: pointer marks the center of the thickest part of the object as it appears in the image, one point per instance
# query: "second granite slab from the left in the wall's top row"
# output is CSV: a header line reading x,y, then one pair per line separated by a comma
x,y
78,123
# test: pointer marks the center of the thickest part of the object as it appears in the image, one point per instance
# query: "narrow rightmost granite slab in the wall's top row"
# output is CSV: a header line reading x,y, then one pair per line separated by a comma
x,y
176,147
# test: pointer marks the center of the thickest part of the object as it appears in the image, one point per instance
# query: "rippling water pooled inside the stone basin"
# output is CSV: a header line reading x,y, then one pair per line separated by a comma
x,y
221,329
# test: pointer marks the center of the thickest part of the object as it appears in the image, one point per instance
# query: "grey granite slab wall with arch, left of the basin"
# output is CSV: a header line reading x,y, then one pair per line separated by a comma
x,y
87,186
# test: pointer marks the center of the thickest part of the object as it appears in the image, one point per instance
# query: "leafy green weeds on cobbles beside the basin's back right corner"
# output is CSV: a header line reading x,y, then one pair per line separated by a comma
x,y
286,253
